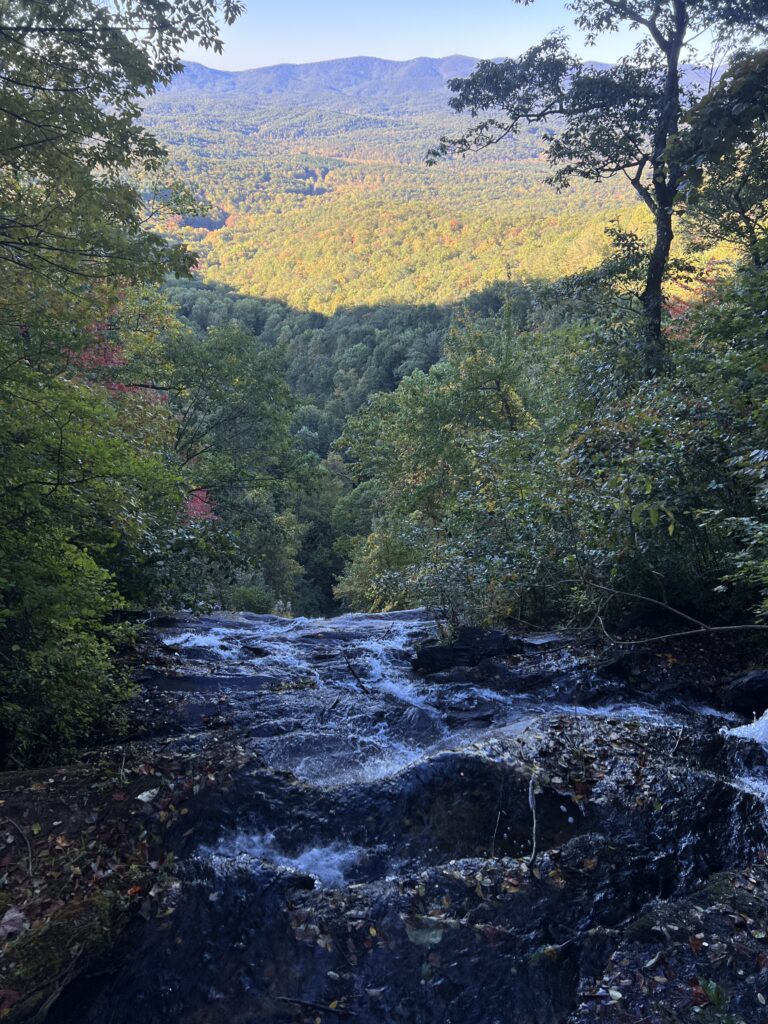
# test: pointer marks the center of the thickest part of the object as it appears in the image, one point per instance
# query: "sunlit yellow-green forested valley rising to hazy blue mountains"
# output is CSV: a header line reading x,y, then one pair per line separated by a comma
x,y
321,197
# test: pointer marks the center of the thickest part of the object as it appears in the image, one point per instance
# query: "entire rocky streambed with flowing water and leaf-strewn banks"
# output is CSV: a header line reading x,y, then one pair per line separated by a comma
x,y
322,829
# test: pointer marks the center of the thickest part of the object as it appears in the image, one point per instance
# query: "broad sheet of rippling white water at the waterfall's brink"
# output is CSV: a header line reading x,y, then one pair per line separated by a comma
x,y
327,700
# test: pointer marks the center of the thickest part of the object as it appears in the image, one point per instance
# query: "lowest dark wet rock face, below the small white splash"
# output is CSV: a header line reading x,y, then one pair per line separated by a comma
x,y
416,950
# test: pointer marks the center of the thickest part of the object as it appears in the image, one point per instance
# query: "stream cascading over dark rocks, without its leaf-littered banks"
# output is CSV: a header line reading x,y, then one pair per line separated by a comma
x,y
373,856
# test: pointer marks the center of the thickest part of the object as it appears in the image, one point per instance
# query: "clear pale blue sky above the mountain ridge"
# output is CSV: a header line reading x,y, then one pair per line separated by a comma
x,y
300,31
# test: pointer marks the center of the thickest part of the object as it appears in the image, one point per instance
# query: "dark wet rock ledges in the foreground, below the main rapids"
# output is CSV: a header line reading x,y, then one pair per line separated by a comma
x,y
625,828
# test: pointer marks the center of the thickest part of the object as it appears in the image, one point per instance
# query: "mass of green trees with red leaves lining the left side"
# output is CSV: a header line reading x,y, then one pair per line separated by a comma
x,y
108,483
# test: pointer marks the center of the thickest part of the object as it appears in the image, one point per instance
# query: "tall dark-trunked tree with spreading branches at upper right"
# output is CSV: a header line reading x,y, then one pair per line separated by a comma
x,y
602,122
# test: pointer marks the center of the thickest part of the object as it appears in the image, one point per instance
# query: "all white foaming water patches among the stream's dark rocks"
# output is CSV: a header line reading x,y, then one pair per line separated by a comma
x,y
335,702
